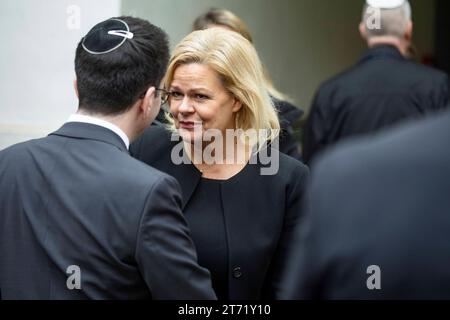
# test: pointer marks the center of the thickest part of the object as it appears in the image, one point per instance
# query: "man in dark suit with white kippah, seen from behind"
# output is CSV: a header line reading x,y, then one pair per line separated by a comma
x,y
384,88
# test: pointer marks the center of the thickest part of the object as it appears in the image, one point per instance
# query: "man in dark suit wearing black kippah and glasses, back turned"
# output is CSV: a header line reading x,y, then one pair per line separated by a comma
x,y
80,218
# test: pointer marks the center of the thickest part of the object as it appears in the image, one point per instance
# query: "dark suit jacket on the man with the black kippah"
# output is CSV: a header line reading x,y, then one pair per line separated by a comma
x,y
78,198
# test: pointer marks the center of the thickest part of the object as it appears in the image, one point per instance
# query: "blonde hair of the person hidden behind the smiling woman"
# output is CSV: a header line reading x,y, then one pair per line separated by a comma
x,y
226,18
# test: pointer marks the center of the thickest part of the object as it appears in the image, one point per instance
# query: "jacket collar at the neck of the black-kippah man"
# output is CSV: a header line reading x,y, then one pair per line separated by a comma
x,y
87,131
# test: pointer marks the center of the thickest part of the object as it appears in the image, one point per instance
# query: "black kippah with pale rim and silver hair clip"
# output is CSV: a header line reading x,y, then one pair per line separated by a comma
x,y
107,36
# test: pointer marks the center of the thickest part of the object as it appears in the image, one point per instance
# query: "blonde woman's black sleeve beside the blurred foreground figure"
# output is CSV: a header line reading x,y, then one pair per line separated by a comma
x,y
287,244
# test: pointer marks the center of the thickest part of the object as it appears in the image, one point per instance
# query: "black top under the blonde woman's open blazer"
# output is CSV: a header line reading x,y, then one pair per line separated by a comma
x,y
205,216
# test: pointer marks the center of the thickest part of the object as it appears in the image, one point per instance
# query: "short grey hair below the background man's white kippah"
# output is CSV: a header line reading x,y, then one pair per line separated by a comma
x,y
387,22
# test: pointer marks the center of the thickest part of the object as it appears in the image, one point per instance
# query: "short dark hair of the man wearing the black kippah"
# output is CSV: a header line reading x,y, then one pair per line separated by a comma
x,y
110,83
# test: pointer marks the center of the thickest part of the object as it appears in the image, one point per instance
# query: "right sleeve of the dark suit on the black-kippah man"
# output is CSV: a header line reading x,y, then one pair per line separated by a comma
x,y
165,253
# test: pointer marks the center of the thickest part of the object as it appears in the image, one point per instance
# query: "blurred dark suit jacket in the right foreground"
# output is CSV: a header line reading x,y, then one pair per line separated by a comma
x,y
382,202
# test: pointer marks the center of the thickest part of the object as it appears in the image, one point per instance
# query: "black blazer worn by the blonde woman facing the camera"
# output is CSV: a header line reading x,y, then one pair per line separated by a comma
x,y
261,214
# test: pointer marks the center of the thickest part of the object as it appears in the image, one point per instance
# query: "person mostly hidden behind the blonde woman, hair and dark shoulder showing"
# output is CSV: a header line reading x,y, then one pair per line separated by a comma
x,y
288,113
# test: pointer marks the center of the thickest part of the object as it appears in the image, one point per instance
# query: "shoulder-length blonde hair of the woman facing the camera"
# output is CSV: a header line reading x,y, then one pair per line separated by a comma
x,y
236,62
